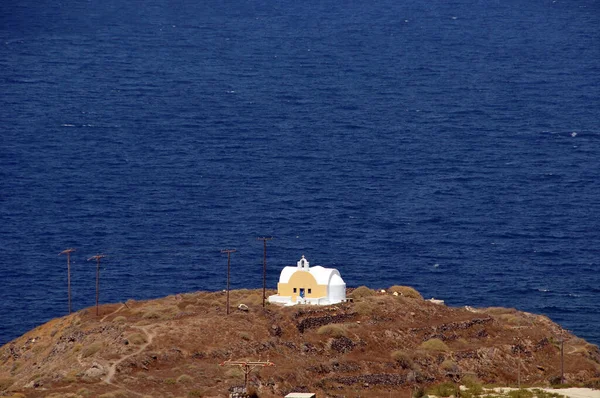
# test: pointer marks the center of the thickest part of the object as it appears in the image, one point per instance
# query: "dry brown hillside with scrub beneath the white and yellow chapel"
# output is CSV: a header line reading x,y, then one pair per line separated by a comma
x,y
378,345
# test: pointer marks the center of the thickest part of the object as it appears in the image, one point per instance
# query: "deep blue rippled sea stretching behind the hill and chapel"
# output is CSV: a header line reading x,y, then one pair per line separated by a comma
x,y
450,145
